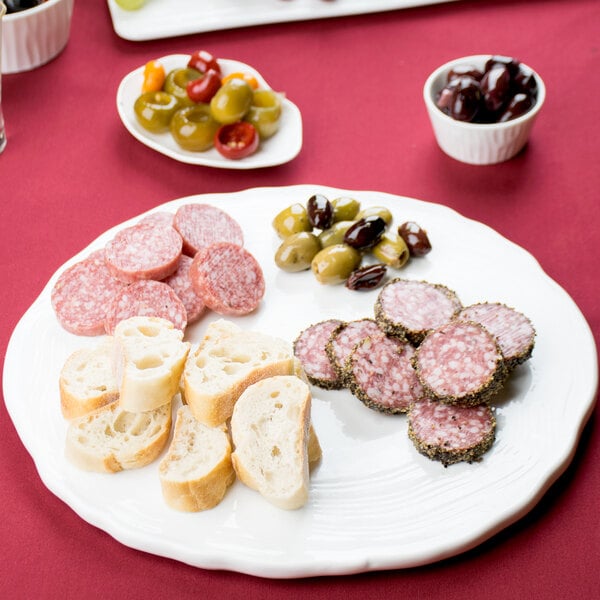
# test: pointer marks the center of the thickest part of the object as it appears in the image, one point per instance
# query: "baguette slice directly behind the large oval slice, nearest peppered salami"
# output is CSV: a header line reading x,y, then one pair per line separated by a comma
x,y
225,363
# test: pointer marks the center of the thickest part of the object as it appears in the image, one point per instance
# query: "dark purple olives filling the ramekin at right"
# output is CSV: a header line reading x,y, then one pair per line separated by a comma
x,y
501,92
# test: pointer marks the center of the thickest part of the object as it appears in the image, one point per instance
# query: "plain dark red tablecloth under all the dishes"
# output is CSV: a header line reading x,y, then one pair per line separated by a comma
x,y
71,171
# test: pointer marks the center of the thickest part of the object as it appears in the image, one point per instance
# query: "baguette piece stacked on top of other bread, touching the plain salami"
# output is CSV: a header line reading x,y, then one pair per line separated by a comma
x,y
149,360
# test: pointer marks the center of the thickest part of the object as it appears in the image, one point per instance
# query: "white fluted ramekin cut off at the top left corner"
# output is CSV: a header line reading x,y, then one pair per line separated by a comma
x,y
33,37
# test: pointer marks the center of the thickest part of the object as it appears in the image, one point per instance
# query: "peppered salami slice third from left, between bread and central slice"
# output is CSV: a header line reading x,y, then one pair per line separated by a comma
x,y
381,374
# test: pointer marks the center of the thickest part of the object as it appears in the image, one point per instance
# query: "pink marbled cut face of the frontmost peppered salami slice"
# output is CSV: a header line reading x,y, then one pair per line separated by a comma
x,y
450,428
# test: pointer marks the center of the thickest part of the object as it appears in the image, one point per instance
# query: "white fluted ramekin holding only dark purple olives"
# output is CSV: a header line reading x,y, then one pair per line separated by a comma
x,y
478,143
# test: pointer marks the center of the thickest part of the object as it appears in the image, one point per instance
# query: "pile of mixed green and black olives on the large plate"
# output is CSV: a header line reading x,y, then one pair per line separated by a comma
x,y
333,237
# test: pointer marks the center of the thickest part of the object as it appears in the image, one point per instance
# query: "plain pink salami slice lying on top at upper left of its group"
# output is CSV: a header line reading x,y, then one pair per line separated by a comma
x,y
143,251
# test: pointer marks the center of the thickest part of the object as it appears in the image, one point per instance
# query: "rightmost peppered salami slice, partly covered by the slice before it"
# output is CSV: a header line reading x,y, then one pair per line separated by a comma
x,y
513,330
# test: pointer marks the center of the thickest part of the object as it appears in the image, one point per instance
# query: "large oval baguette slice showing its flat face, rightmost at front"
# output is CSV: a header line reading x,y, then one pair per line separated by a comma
x,y
270,432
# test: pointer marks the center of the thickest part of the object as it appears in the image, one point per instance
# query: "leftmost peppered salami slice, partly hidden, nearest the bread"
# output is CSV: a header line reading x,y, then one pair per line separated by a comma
x,y
310,348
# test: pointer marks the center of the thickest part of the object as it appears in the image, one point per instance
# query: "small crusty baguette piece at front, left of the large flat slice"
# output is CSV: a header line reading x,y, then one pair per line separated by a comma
x,y
197,470
